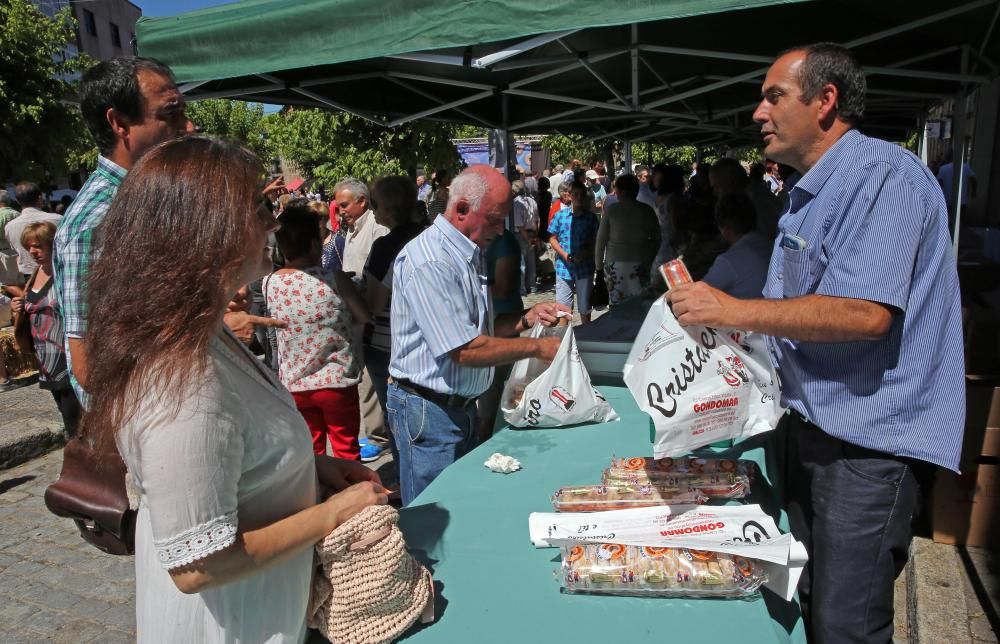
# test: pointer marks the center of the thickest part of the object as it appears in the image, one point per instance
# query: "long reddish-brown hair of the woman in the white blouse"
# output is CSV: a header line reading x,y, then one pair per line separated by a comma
x,y
172,250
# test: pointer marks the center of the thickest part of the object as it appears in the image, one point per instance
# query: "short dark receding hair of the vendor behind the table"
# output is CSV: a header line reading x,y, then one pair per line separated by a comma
x,y
833,64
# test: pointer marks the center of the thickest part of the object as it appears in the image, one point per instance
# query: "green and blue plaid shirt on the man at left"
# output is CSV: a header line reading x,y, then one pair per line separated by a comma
x,y
72,251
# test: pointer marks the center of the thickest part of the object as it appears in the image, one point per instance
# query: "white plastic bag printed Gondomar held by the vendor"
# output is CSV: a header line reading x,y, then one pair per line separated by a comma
x,y
700,385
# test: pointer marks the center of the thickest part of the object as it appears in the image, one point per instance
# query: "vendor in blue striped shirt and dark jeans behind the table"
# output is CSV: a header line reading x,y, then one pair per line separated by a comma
x,y
863,309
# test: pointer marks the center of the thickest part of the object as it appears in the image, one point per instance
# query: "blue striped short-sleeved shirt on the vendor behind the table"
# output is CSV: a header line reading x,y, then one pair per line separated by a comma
x,y
875,225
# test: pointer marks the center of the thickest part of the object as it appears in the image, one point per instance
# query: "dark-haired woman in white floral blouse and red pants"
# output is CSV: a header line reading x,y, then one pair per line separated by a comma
x,y
317,357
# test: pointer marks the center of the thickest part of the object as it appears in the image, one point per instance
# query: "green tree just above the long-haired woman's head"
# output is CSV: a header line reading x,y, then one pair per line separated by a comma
x,y
237,121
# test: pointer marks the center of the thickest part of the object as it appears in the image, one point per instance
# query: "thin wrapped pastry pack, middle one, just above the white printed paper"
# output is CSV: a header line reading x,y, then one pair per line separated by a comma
x,y
597,498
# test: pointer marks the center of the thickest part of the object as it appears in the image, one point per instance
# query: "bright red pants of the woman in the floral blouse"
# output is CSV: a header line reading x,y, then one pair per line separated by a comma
x,y
333,412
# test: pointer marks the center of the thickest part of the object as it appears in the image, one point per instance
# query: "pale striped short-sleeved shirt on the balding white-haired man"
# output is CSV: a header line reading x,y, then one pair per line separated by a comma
x,y
440,301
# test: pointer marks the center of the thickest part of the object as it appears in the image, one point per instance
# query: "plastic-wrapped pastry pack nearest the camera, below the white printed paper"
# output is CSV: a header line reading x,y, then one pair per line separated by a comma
x,y
614,569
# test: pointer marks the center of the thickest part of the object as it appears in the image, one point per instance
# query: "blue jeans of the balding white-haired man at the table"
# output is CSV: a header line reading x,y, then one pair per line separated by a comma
x,y
429,437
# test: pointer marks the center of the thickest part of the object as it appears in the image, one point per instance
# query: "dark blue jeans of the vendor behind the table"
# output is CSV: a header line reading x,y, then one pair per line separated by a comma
x,y
852,508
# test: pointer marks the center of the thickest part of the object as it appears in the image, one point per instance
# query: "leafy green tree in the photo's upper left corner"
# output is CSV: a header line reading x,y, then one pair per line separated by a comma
x,y
41,131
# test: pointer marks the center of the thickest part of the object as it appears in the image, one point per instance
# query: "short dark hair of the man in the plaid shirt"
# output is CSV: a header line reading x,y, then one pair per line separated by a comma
x,y
114,83
